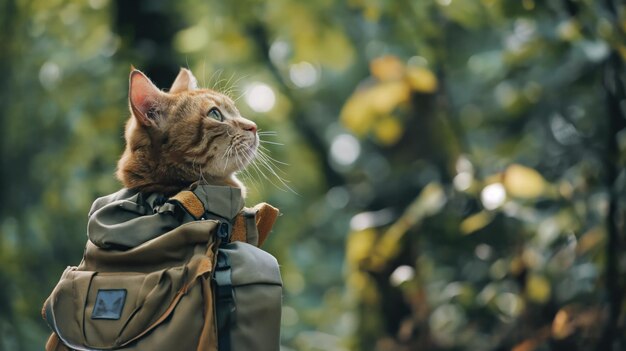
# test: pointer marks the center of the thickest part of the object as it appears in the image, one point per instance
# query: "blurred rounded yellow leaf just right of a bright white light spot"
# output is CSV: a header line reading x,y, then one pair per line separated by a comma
x,y
523,182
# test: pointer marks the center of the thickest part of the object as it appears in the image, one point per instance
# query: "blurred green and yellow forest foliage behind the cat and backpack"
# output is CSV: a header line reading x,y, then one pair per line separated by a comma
x,y
457,166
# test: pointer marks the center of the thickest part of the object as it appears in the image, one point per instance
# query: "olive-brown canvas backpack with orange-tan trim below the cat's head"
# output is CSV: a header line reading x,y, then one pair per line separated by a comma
x,y
179,273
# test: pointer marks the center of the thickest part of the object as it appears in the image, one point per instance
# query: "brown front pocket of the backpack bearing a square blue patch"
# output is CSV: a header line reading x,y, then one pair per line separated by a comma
x,y
109,310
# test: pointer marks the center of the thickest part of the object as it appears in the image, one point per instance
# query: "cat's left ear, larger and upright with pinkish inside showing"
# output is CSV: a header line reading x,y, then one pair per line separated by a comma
x,y
142,97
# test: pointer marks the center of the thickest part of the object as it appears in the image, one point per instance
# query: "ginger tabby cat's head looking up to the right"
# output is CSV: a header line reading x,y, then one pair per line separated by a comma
x,y
186,134
